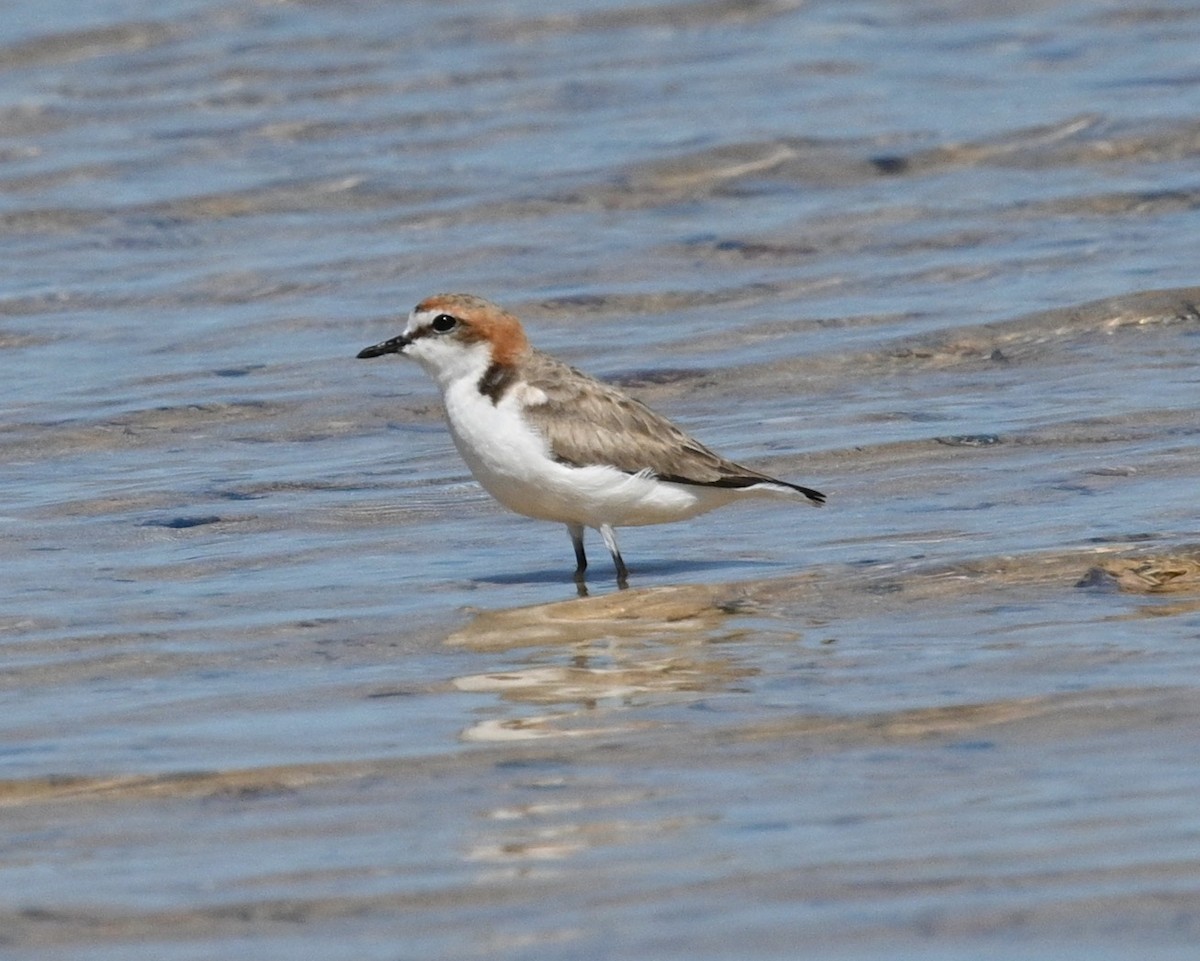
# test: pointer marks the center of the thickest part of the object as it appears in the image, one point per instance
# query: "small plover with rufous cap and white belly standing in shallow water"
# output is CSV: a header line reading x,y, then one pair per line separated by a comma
x,y
556,445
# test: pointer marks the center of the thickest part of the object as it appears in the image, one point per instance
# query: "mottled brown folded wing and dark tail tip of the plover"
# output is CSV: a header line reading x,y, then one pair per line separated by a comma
x,y
590,423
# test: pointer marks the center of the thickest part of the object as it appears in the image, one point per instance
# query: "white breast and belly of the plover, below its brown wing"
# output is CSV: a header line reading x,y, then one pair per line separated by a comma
x,y
514,466
